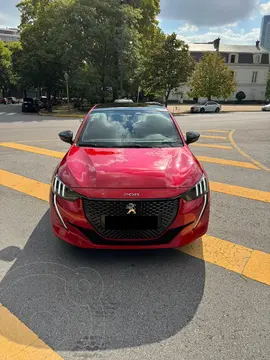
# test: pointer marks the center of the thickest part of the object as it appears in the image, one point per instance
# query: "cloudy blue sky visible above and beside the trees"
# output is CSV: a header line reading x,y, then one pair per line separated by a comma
x,y
234,21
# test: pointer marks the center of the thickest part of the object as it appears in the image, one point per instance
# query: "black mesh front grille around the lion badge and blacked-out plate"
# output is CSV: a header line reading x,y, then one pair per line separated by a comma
x,y
166,210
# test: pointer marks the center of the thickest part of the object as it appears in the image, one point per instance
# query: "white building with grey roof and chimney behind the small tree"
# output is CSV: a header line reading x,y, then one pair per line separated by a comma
x,y
249,63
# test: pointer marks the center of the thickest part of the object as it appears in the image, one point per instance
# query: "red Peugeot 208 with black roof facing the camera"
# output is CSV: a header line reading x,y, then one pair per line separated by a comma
x,y
129,181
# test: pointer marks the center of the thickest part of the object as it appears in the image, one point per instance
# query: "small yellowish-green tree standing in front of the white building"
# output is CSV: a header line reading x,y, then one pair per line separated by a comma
x,y
212,77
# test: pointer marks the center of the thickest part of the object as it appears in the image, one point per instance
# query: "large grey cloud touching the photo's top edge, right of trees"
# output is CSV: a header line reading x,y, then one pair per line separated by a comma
x,y
207,12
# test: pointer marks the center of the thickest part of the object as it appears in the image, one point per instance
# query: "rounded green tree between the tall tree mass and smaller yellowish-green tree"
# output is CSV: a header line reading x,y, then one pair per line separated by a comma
x,y
168,66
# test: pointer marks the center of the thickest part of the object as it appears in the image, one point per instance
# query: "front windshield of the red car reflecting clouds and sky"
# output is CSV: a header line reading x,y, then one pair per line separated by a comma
x,y
129,128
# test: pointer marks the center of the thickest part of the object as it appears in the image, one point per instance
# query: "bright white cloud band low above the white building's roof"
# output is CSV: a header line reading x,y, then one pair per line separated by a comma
x,y
227,35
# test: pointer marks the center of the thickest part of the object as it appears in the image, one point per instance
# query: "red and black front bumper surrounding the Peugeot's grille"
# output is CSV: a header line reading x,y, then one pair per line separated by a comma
x,y
71,225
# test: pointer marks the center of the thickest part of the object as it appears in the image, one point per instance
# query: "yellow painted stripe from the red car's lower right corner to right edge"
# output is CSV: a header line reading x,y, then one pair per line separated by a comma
x,y
251,263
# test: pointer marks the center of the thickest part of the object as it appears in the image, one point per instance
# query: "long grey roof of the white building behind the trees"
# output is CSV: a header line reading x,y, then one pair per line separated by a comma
x,y
247,49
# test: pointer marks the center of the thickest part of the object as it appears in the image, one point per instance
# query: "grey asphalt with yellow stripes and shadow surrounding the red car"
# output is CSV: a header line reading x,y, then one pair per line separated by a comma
x,y
209,300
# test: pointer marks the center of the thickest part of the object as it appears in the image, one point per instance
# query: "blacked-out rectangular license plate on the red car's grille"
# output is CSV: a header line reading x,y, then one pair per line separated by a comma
x,y
130,222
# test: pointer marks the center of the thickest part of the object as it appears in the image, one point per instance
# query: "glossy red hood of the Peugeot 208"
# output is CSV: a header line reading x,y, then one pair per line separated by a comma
x,y
129,168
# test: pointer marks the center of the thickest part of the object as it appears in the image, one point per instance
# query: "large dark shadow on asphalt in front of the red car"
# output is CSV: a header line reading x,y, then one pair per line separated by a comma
x,y
85,300
